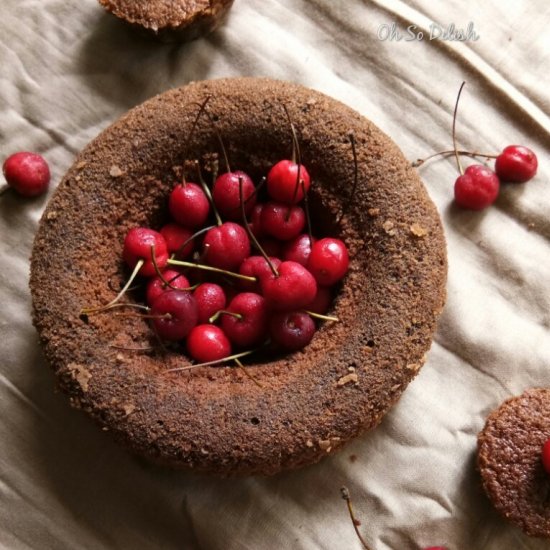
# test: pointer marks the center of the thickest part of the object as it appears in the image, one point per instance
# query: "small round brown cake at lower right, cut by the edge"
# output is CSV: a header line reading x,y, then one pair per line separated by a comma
x,y
510,460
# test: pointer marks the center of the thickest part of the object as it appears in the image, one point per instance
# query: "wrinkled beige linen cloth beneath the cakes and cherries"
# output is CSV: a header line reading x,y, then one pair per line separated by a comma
x,y
67,70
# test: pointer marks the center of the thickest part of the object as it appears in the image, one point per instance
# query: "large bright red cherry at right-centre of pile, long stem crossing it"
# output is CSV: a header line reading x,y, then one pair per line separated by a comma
x,y
294,288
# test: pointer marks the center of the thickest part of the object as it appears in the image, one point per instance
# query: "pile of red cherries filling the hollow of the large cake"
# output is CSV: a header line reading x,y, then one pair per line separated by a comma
x,y
208,283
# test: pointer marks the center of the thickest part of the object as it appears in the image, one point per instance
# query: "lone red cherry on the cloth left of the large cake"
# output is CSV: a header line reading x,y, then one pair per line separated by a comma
x,y
27,173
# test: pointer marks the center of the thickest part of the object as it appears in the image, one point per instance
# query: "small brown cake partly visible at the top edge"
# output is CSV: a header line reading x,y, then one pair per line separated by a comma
x,y
171,20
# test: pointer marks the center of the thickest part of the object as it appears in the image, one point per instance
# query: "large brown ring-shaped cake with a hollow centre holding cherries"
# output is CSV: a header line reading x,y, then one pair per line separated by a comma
x,y
215,419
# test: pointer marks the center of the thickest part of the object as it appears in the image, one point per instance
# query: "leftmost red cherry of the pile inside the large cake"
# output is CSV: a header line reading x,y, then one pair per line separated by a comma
x,y
137,246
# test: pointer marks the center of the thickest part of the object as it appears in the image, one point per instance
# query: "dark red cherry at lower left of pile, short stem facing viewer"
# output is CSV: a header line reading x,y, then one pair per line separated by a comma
x,y
179,311
